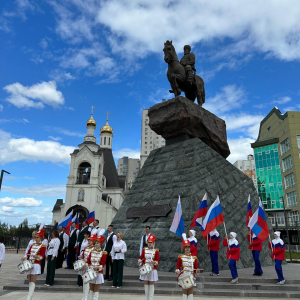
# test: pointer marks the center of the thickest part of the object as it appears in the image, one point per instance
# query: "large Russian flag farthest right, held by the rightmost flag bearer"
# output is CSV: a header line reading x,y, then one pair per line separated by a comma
x,y
258,223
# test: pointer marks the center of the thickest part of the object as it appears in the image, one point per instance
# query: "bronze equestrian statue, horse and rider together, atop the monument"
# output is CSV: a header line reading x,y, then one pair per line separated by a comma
x,y
182,75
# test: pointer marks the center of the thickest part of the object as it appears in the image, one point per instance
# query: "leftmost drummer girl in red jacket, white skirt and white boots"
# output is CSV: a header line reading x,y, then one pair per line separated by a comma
x,y
35,254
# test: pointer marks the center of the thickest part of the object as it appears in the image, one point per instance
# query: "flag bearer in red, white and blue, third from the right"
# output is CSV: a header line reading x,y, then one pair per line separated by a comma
x,y
233,254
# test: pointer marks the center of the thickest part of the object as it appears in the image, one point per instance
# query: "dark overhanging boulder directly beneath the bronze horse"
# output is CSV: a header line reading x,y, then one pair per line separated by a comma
x,y
179,118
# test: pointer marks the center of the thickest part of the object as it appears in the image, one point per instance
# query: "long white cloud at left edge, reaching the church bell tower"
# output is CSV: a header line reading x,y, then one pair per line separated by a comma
x,y
16,149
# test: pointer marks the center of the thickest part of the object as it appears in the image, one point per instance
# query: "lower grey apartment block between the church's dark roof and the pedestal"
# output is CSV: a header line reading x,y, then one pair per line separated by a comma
x,y
130,168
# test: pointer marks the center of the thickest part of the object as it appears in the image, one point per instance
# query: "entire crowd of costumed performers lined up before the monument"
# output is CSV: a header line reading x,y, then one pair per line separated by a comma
x,y
97,251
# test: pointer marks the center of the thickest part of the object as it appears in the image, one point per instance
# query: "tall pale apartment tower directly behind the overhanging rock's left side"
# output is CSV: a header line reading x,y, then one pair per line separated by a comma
x,y
150,140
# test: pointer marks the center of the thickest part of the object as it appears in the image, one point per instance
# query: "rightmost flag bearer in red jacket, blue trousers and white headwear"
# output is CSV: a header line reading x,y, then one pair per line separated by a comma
x,y
277,253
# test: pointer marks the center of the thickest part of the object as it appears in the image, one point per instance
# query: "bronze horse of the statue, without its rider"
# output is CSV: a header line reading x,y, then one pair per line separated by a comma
x,y
177,77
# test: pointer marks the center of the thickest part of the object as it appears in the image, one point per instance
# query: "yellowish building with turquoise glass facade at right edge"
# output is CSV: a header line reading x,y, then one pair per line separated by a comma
x,y
277,161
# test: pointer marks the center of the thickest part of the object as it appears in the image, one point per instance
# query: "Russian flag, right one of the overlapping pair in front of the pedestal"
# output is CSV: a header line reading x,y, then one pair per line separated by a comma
x,y
213,218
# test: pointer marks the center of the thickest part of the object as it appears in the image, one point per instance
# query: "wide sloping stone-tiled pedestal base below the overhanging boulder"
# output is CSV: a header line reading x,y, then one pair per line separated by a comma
x,y
189,169
